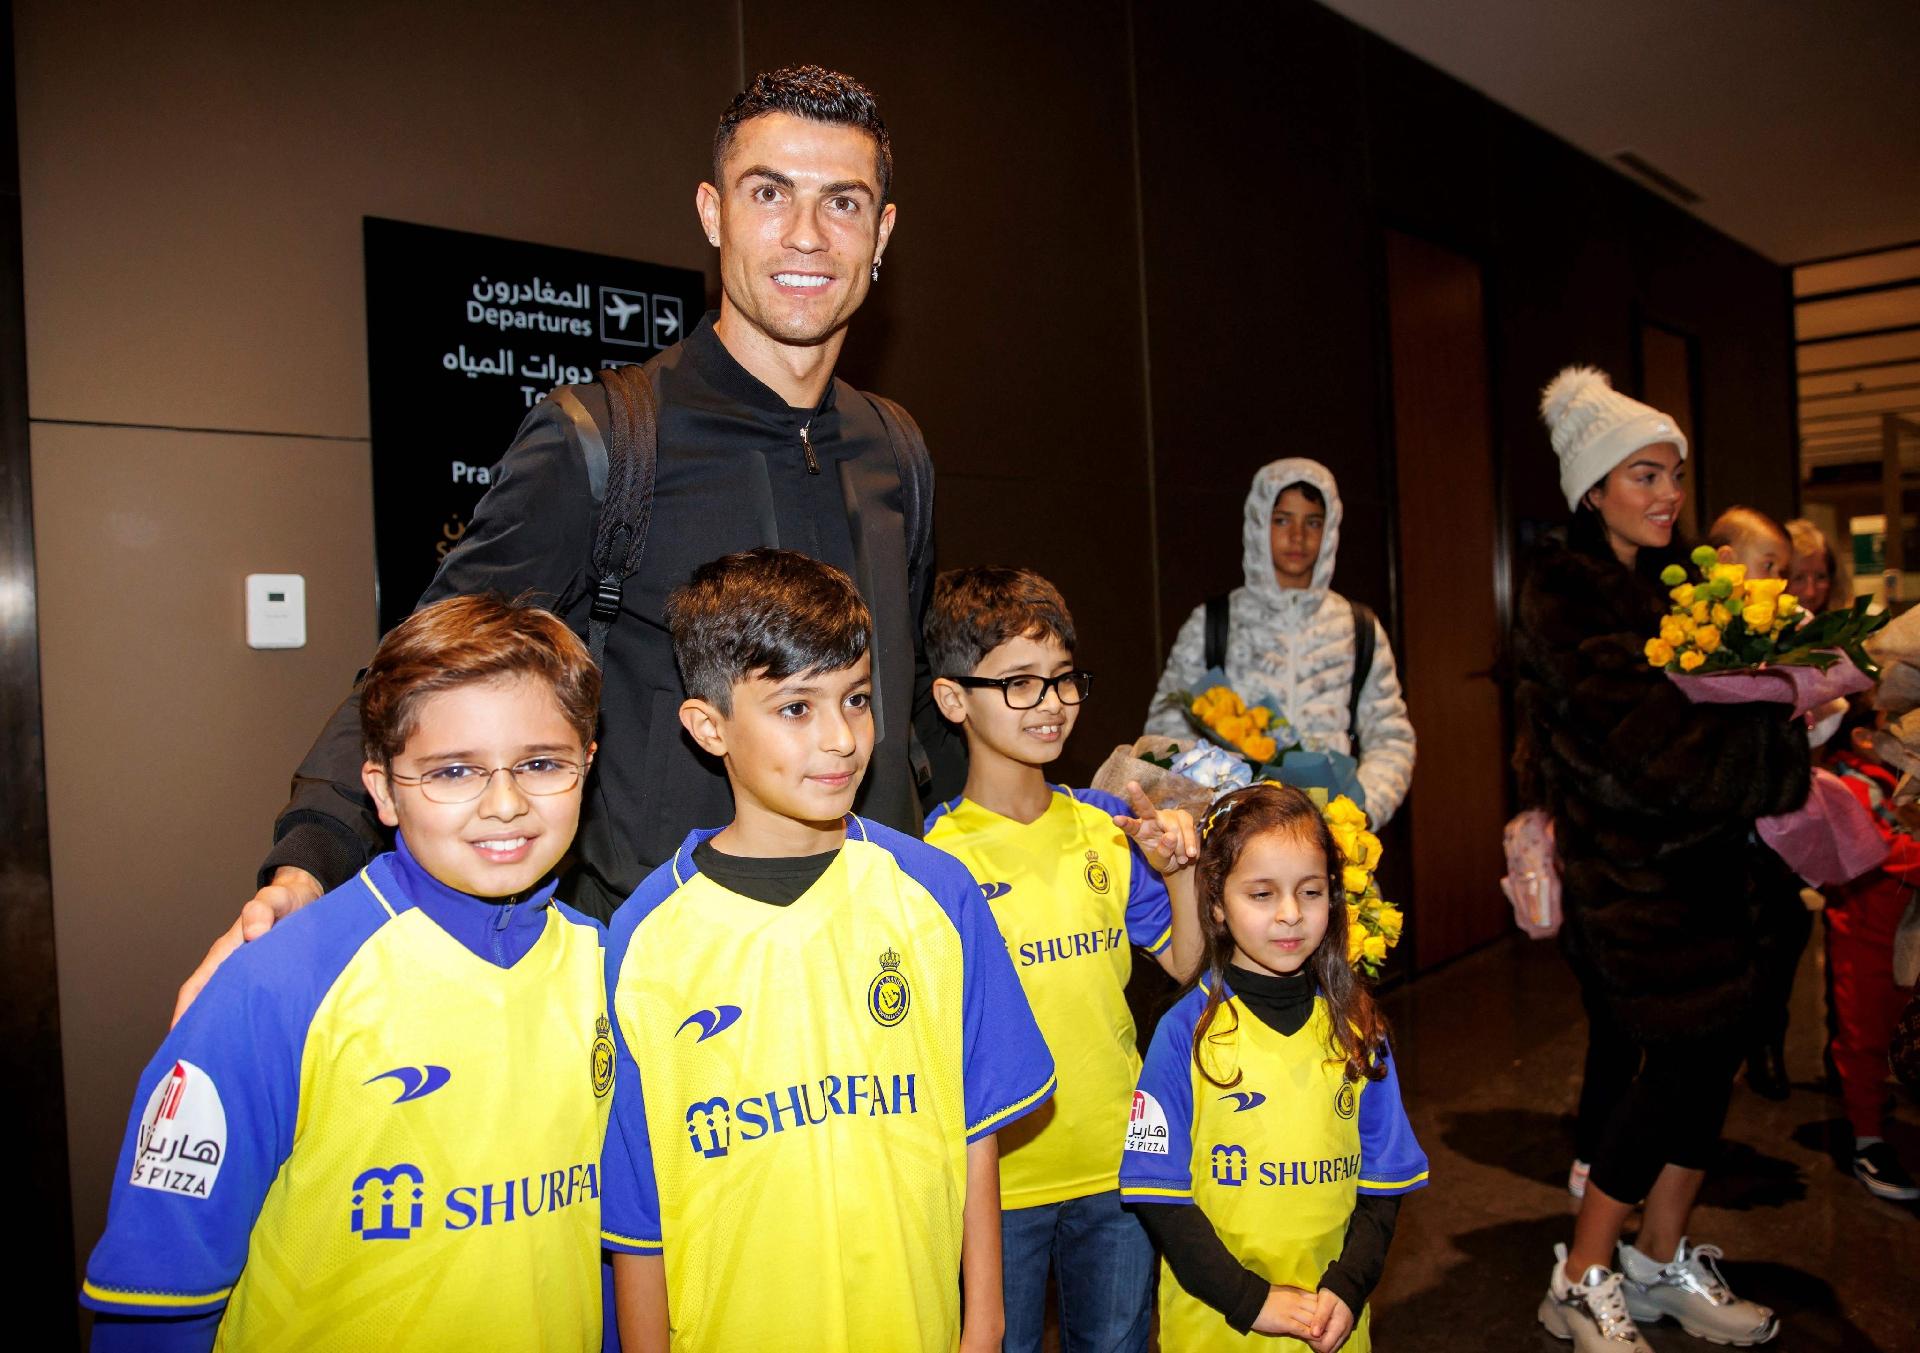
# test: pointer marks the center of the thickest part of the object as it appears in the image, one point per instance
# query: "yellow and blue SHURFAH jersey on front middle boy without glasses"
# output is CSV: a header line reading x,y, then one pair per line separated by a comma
x,y
798,1087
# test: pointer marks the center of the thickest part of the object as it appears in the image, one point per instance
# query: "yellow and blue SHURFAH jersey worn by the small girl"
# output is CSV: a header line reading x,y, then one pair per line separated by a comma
x,y
1276,1162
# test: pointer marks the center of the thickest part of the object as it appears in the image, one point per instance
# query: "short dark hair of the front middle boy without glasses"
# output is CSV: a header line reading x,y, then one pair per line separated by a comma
x,y
765,613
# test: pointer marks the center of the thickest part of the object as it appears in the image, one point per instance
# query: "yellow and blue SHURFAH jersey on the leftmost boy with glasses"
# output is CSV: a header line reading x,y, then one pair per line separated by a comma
x,y
368,1135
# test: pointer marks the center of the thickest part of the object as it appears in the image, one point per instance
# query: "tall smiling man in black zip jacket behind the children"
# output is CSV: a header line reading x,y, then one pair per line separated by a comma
x,y
759,444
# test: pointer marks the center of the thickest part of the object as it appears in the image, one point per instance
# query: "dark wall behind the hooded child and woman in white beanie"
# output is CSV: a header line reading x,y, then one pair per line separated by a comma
x,y
1276,145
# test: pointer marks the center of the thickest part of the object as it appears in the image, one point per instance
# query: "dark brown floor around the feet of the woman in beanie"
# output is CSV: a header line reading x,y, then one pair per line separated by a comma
x,y
1491,1064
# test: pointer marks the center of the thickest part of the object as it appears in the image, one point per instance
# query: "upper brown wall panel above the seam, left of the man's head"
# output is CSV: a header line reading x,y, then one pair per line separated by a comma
x,y
195,187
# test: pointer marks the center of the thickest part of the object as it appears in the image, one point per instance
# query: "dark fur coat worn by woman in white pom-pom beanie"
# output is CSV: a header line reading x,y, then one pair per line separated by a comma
x,y
1654,799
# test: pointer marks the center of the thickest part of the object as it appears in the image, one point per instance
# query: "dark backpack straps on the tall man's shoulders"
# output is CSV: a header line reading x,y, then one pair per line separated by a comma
x,y
633,458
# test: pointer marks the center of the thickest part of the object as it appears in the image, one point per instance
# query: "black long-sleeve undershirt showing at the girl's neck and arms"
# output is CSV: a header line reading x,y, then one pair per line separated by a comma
x,y
1201,1260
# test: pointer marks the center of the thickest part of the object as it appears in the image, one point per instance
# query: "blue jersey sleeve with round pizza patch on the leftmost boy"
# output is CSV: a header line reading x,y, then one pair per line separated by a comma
x,y
214,1120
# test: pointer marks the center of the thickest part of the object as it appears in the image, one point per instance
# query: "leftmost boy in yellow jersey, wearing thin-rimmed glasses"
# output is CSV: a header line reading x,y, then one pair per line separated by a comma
x,y
381,1124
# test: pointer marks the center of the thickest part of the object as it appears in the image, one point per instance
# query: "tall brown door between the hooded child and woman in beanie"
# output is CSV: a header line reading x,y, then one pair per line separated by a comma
x,y
1449,605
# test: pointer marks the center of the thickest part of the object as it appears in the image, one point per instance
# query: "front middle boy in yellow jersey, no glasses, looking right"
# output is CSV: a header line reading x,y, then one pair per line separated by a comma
x,y
817,1024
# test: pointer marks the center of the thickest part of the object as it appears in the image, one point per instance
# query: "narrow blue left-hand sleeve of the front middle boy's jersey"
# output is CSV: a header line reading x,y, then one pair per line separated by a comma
x,y
631,1197
